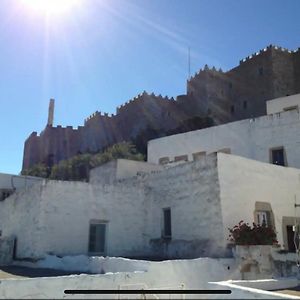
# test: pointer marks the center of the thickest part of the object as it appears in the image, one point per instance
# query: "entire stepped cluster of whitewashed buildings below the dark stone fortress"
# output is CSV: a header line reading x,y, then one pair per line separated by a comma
x,y
164,210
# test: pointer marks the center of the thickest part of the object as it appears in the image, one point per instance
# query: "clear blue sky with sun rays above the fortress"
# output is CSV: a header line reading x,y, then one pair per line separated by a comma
x,y
102,53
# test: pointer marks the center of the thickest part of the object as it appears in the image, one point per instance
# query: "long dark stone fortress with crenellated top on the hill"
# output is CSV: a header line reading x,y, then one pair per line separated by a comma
x,y
237,94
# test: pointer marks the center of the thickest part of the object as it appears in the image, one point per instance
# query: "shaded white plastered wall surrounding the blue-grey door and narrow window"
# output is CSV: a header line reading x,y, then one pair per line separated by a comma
x,y
55,216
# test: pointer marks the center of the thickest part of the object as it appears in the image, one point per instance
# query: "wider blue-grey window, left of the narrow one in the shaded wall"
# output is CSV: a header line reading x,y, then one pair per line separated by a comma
x,y
97,238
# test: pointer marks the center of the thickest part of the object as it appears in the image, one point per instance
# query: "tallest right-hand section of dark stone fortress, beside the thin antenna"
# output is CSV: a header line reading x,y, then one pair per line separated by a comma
x,y
242,92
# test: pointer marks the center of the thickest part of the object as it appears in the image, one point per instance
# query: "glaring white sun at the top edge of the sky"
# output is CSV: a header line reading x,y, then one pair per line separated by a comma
x,y
51,6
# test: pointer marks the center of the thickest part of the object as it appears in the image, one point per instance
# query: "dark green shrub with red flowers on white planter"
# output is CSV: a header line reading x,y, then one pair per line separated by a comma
x,y
243,234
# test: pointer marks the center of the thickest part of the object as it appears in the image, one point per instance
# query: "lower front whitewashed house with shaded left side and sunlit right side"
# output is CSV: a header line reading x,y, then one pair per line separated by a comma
x,y
179,212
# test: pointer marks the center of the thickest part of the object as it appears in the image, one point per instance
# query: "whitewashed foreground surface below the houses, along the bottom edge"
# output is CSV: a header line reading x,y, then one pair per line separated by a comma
x,y
201,273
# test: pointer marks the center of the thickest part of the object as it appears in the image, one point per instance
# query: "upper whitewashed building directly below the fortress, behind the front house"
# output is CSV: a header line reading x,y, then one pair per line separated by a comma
x,y
274,138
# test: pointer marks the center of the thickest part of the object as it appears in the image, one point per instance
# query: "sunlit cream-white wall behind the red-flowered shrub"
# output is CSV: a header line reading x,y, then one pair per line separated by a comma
x,y
244,182
